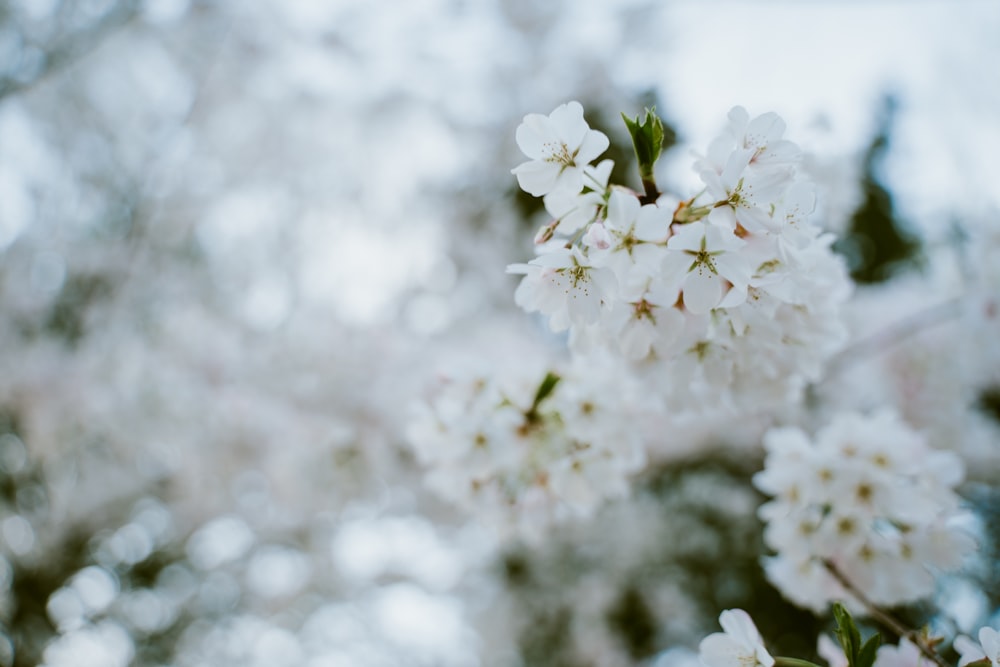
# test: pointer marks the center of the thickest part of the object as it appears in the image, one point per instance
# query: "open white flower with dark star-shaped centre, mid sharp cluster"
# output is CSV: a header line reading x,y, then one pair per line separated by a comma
x,y
704,257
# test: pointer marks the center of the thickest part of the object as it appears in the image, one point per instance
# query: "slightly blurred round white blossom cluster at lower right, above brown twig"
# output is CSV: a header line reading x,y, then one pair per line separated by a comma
x,y
866,506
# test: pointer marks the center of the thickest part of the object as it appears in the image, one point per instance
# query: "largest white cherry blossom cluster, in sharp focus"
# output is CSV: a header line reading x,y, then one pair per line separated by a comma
x,y
729,296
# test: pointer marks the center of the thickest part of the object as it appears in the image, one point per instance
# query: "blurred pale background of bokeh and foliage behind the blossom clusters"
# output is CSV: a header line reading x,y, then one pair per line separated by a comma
x,y
238,238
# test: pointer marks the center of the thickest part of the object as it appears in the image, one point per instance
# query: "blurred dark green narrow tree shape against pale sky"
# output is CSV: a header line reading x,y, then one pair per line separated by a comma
x,y
876,243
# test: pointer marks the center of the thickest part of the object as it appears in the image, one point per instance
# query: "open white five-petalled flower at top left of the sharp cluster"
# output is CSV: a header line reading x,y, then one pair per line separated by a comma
x,y
560,145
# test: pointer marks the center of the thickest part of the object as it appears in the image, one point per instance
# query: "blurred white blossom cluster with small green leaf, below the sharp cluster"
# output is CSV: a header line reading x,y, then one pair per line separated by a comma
x,y
522,451
